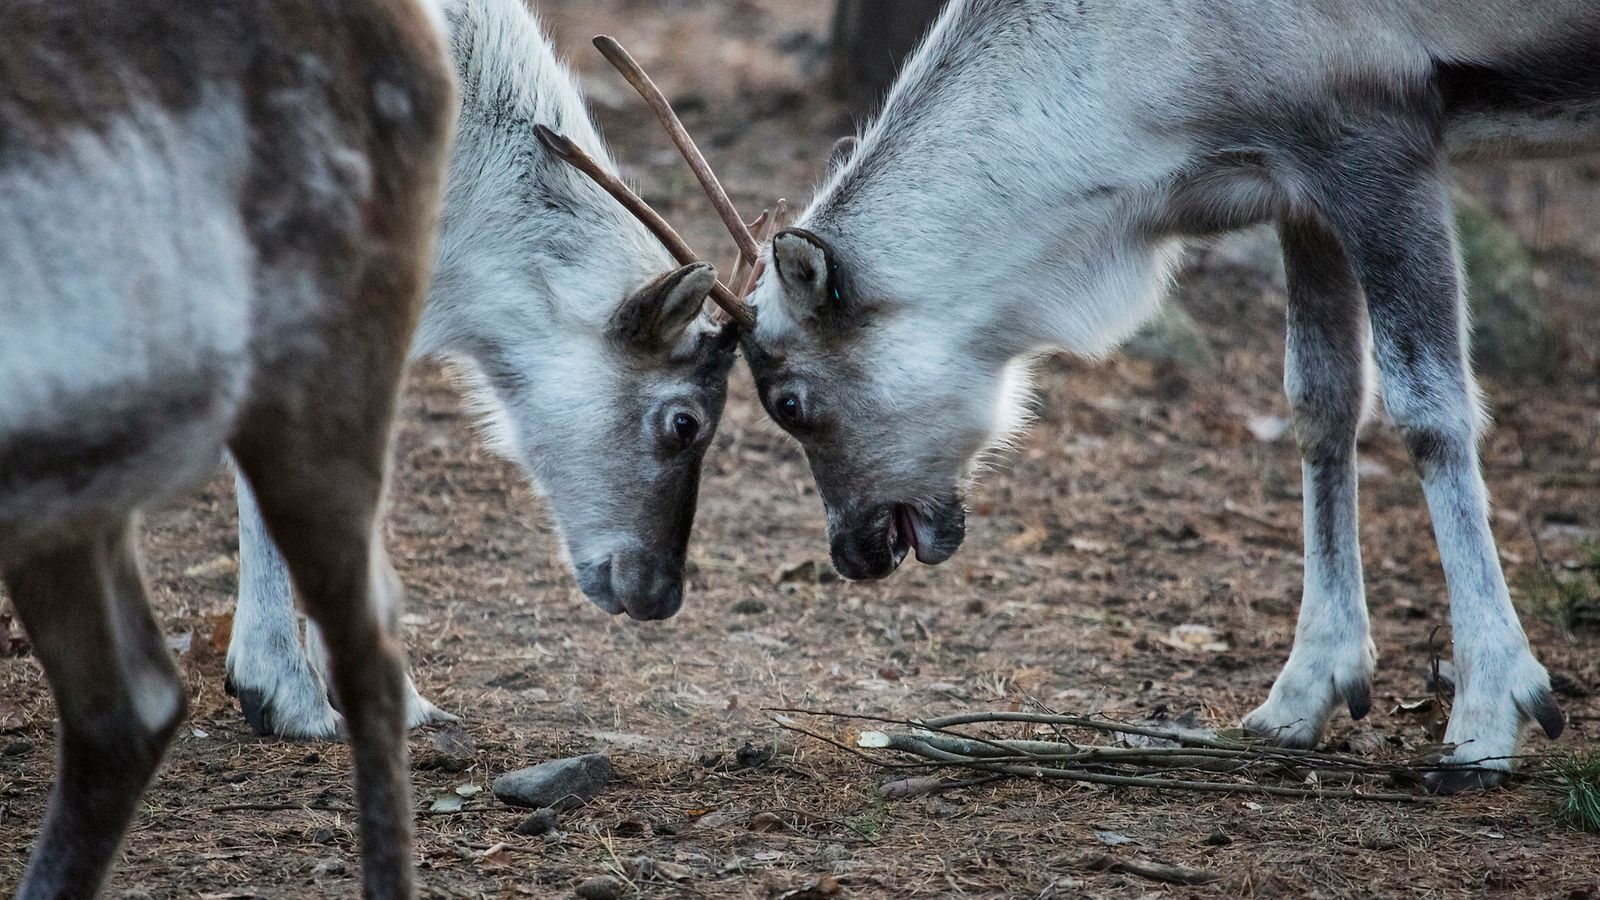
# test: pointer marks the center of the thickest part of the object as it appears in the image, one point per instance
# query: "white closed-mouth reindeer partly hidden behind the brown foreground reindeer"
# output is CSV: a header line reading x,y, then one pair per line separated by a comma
x,y
602,377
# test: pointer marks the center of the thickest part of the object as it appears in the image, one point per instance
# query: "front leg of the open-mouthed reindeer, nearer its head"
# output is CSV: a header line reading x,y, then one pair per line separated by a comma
x,y
1326,377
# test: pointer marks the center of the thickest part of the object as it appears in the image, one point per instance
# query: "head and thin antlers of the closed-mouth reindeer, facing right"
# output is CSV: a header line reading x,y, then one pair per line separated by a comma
x,y
622,433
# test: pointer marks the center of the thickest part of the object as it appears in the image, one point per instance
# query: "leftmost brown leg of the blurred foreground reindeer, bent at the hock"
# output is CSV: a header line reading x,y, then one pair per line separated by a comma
x,y
119,699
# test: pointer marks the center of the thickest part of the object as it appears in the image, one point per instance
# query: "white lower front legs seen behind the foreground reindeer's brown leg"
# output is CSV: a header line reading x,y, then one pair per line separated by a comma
x,y
282,681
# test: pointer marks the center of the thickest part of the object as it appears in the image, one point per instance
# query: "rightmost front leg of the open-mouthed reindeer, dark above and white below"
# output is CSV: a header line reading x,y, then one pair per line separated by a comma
x,y
1393,215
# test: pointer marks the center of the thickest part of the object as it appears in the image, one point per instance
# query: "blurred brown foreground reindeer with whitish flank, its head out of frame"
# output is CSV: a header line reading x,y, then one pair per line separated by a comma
x,y
218,227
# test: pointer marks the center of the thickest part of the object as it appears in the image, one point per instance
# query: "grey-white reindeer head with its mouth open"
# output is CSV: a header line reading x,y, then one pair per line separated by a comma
x,y
892,409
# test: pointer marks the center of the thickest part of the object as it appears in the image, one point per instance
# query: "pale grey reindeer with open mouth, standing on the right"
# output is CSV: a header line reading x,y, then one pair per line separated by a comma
x,y
1031,185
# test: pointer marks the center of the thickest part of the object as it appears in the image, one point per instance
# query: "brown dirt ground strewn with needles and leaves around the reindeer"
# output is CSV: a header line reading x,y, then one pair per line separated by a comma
x,y
1142,502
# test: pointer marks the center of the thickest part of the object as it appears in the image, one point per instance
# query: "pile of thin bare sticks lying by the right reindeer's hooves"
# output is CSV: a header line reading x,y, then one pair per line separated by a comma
x,y
1076,749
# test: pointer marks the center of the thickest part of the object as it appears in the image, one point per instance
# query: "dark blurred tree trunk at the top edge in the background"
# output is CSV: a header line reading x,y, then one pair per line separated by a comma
x,y
871,42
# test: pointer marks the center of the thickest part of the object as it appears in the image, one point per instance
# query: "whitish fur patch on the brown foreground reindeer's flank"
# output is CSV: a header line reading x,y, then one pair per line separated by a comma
x,y
74,358
